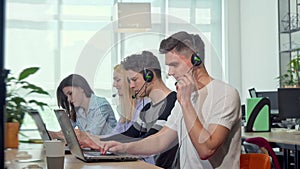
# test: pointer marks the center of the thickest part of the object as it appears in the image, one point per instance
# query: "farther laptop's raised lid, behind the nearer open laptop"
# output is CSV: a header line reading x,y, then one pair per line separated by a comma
x,y
35,115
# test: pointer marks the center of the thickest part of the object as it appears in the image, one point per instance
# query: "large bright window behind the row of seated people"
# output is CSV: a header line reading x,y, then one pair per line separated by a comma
x,y
64,37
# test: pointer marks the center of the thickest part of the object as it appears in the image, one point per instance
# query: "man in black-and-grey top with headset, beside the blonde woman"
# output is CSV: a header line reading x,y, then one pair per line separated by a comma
x,y
145,79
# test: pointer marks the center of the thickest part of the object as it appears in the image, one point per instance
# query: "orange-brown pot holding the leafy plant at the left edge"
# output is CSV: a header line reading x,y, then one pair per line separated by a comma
x,y
11,135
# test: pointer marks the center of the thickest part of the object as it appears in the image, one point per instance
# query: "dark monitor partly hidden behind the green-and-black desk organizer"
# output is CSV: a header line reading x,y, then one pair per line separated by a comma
x,y
273,97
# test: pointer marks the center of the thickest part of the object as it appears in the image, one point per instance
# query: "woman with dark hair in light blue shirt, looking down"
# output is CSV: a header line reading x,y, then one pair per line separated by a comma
x,y
86,110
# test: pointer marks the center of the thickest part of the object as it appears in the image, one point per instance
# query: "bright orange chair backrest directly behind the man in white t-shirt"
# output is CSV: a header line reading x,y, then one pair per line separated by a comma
x,y
255,161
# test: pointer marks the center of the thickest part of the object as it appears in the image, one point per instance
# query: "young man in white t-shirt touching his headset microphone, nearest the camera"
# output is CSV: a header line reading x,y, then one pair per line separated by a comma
x,y
206,118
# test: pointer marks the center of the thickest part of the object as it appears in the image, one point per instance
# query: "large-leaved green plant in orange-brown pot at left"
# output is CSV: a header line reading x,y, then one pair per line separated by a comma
x,y
17,103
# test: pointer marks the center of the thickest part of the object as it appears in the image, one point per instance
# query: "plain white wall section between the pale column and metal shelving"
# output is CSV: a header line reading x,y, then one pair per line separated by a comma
x,y
259,45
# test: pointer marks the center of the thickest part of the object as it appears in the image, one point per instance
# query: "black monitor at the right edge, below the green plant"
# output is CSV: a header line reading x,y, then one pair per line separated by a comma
x,y
289,103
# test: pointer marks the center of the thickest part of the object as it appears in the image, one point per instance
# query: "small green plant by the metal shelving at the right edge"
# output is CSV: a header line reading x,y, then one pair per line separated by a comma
x,y
292,77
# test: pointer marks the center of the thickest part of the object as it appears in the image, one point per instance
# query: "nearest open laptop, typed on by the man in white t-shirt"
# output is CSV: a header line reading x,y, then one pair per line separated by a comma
x,y
83,154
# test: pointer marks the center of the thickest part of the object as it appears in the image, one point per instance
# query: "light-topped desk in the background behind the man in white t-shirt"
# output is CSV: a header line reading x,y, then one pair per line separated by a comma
x,y
282,138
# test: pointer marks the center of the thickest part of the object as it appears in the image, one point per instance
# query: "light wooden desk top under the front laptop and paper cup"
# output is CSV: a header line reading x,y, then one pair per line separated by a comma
x,y
37,152
